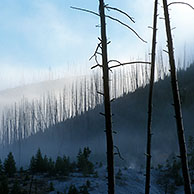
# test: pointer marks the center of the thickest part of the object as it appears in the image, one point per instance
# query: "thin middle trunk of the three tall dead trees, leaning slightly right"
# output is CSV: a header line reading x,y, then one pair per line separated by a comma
x,y
150,99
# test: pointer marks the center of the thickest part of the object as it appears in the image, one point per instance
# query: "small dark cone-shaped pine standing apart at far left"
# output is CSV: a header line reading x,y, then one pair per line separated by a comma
x,y
9,165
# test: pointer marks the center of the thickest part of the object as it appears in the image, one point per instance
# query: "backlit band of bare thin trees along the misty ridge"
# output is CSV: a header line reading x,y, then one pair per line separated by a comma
x,y
26,118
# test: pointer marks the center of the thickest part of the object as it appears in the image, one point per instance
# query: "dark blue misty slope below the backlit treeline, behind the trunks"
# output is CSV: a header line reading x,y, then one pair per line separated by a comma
x,y
129,123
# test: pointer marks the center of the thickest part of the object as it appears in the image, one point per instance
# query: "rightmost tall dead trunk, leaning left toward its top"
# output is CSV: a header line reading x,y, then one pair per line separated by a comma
x,y
177,105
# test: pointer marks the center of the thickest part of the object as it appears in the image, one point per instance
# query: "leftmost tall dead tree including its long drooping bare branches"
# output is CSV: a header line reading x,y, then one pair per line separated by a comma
x,y
106,88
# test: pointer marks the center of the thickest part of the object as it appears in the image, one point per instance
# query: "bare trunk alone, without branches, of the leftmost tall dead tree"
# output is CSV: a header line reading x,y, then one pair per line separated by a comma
x,y
108,122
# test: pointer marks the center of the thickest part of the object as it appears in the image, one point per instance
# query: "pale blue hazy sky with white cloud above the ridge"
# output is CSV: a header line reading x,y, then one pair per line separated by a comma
x,y
40,36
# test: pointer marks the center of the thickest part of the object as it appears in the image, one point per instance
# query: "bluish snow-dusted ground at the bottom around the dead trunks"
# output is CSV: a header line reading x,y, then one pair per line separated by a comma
x,y
128,181
